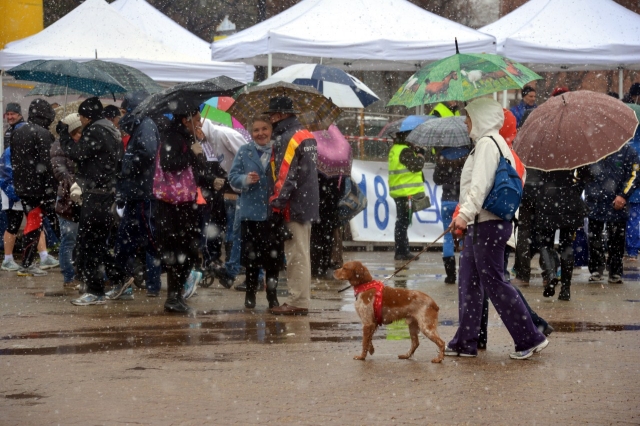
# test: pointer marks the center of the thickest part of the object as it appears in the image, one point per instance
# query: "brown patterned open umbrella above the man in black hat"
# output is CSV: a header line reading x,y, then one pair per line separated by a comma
x,y
316,111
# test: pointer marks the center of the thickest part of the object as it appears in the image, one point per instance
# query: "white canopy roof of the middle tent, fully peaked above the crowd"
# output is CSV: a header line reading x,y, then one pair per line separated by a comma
x,y
352,34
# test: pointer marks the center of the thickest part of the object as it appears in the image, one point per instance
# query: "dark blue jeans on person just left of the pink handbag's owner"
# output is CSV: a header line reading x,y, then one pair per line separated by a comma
x,y
137,229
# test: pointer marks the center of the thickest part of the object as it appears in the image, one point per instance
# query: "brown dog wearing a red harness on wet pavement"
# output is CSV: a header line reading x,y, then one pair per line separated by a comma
x,y
416,308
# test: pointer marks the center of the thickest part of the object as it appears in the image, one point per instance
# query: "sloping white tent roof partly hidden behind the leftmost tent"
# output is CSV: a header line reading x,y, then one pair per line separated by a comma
x,y
162,28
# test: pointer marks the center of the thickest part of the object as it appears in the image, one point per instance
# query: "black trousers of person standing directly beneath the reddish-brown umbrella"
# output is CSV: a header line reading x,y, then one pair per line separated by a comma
x,y
549,257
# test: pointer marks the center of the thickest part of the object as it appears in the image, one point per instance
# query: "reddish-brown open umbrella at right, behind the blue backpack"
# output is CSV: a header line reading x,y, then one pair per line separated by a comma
x,y
573,130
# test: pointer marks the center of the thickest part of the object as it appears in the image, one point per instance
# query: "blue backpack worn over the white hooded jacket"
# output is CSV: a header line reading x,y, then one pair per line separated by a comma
x,y
506,194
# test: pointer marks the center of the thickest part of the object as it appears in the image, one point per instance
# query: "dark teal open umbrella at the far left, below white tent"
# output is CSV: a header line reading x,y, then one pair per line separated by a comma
x,y
71,74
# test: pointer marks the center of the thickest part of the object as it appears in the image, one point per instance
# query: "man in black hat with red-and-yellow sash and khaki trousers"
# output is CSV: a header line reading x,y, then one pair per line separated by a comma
x,y
296,197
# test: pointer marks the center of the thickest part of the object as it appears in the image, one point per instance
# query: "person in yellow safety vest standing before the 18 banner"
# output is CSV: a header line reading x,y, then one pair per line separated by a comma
x,y
405,180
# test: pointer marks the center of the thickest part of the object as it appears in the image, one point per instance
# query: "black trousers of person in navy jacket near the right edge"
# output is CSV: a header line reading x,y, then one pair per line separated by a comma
x,y
616,240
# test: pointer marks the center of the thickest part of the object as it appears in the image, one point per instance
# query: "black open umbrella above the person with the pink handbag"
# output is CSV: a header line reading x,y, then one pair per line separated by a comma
x,y
173,99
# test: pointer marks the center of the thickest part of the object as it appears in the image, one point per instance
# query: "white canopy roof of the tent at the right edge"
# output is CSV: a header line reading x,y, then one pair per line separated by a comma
x,y
569,35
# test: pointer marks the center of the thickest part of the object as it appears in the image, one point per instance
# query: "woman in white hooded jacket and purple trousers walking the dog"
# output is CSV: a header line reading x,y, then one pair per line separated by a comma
x,y
481,262
